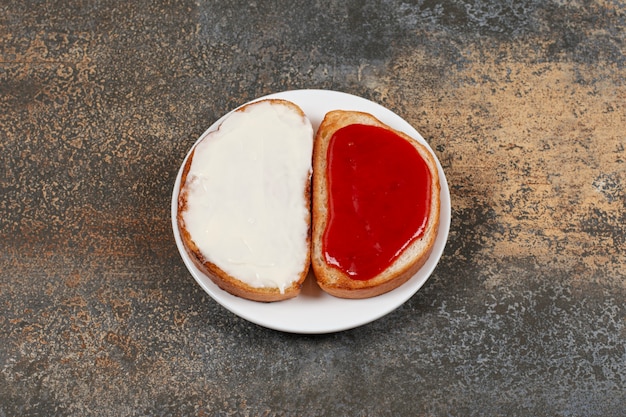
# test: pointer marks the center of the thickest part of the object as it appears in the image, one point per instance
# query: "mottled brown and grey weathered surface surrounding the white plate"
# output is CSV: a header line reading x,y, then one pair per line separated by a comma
x,y
524,103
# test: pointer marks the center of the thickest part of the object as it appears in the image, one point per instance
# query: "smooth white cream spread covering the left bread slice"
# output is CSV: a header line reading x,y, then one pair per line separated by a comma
x,y
246,206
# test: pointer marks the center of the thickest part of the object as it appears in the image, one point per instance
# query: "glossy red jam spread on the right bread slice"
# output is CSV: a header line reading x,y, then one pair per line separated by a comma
x,y
378,196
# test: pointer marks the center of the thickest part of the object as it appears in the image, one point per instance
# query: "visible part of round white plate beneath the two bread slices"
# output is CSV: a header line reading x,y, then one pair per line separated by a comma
x,y
314,311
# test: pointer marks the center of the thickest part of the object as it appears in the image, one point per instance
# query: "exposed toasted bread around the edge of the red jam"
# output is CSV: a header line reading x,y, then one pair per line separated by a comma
x,y
412,258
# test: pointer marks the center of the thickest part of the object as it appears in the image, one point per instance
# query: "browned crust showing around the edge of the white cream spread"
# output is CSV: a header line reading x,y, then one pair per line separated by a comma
x,y
222,279
